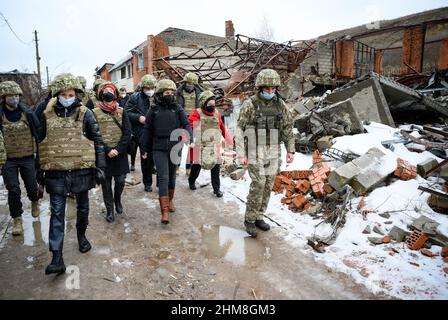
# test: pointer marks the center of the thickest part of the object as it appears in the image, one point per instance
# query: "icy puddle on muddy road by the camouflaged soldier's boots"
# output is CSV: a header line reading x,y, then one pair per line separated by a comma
x,y
235,246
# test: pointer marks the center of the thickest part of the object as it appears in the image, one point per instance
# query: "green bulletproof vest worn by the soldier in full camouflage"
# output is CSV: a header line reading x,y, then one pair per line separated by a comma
x,y
267,117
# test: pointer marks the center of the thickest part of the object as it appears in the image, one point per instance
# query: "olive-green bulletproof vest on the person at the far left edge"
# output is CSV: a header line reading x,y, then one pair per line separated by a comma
x,y
19,141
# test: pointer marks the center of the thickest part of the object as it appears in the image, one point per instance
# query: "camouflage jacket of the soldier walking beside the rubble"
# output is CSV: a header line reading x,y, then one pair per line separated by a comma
x,y
247,120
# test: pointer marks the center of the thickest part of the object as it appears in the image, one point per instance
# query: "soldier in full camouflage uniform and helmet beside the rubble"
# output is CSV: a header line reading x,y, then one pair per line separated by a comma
x,y
266,122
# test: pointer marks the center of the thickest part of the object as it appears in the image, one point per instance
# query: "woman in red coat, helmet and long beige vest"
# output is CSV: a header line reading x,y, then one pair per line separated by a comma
x,y
208,128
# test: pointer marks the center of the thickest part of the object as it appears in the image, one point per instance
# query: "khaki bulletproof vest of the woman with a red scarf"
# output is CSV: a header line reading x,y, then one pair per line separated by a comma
x,y
109,128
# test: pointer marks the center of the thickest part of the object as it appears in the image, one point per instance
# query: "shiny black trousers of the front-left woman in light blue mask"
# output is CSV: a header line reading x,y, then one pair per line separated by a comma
x,y
57,219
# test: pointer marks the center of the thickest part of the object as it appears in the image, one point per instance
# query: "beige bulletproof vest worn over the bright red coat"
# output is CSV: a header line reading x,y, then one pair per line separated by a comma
x,y
210,139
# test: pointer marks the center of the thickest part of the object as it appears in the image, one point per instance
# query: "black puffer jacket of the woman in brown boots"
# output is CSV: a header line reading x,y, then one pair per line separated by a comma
x,y
161,121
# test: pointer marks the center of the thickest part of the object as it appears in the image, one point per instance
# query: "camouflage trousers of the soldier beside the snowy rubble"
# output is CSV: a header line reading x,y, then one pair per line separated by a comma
x,y
263,177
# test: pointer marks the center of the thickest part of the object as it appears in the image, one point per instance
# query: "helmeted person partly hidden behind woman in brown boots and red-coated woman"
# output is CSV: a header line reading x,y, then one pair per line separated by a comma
x,y
187,96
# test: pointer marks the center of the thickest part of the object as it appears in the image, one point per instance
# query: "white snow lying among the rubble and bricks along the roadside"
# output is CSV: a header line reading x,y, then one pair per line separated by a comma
x,y
383,269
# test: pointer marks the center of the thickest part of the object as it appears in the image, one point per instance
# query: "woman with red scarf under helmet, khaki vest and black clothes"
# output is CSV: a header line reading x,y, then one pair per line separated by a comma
x,y
115,130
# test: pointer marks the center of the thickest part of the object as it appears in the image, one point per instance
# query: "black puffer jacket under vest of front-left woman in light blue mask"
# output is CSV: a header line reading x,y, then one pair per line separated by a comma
x,y
64,182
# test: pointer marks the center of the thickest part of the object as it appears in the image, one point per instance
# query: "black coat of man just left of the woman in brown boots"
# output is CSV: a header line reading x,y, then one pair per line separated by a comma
x,y
137,106
